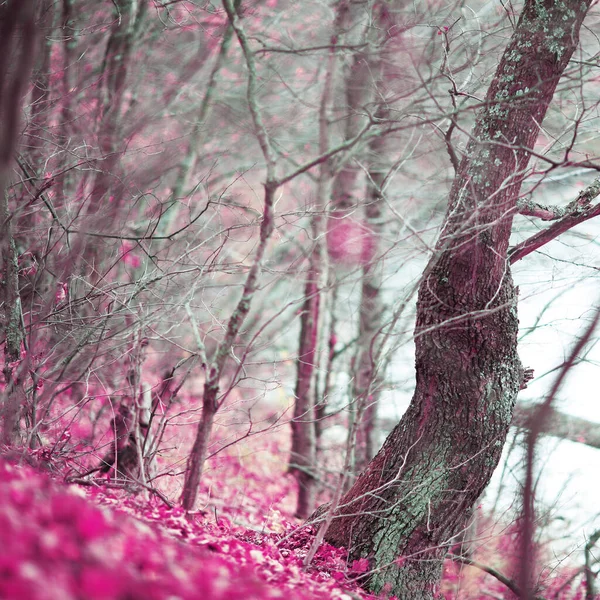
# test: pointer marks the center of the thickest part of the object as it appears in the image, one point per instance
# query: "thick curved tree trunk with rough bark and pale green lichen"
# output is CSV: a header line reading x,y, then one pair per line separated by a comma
x,y
414,498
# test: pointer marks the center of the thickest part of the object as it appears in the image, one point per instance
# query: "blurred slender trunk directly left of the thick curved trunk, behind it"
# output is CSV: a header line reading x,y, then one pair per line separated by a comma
x,y
364,95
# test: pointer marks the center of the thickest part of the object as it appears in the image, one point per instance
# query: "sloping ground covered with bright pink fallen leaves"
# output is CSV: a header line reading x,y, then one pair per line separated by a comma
x,y
69,542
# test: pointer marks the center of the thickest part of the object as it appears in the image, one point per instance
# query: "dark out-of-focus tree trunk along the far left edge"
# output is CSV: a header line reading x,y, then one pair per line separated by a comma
x,y
17,43
